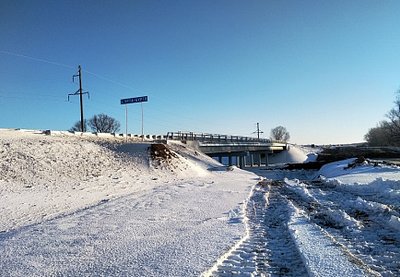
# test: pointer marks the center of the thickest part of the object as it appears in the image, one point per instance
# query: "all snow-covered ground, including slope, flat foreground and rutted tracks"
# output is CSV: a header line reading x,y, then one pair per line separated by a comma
x,y
89,206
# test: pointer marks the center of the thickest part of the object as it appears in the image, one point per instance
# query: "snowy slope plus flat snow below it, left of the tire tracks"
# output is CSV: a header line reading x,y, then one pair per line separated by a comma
x,y
74,205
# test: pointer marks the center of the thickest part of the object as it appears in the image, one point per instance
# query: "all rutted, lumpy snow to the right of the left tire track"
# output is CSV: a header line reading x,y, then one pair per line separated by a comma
x,y
348,207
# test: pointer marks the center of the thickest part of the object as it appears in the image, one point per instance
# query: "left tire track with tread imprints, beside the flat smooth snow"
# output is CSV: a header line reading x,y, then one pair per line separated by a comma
x,y
269,249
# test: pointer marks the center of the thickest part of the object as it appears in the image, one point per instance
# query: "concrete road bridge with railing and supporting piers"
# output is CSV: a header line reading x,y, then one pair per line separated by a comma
x,y
231,150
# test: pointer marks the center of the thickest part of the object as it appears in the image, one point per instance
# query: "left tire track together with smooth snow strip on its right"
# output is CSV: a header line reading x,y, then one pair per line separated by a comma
x,y
280,242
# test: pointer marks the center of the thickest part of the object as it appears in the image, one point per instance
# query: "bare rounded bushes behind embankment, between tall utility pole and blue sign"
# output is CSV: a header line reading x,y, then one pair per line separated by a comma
x,y
100,123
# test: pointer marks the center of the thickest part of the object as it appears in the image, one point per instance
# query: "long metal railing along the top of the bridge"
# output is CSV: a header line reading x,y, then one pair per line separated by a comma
x,y
213,138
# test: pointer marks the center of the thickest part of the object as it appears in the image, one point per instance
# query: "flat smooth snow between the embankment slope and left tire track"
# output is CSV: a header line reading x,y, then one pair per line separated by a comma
x,y
163,232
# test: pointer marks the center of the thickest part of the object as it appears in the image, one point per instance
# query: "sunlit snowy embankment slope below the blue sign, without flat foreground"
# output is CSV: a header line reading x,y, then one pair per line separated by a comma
x,y
47,175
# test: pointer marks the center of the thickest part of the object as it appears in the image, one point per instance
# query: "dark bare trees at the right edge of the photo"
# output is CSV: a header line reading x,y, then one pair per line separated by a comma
x,y
387,132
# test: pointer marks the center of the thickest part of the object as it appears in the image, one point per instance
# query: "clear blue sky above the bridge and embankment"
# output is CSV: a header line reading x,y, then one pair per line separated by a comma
x,y
326,70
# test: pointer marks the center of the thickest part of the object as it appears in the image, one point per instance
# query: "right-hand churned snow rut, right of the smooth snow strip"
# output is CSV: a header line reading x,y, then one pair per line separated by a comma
x,y
373,246
